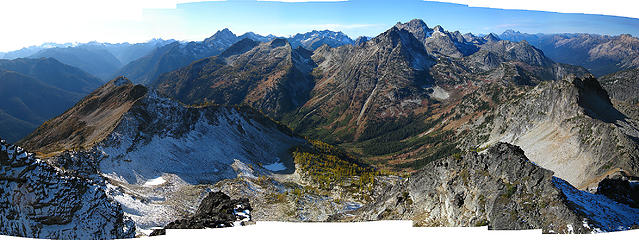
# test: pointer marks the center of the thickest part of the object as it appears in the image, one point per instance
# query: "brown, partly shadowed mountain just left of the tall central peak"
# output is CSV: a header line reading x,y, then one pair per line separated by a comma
x,y
271,76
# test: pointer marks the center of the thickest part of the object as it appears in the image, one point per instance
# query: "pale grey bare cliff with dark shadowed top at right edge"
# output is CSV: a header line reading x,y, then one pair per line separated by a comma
x,y
571,128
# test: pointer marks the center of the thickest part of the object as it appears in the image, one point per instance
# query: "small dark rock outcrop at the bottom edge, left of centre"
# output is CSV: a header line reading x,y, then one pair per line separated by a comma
x,y
217,210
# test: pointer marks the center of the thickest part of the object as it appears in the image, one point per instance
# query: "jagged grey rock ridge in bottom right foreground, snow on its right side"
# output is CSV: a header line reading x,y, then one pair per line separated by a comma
x,y
500,188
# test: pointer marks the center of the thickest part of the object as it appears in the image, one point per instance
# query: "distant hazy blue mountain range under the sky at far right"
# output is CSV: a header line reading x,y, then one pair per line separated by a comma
x,y
600,54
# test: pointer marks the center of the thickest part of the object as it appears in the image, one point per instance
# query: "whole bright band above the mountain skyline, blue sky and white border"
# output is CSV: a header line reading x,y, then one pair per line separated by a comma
x,y
33,22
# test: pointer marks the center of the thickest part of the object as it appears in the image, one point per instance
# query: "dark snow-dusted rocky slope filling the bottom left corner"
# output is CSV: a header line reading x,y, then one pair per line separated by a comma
x,y
38,200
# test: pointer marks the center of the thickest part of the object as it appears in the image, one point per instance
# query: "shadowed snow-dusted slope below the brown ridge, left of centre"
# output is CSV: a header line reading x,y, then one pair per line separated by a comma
x,y
162,157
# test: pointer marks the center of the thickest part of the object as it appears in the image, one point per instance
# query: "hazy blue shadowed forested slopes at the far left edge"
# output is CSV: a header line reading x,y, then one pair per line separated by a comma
x,y
35,90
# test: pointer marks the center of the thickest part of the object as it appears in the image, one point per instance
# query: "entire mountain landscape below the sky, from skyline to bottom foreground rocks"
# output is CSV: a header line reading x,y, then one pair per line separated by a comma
x,y
511,131
